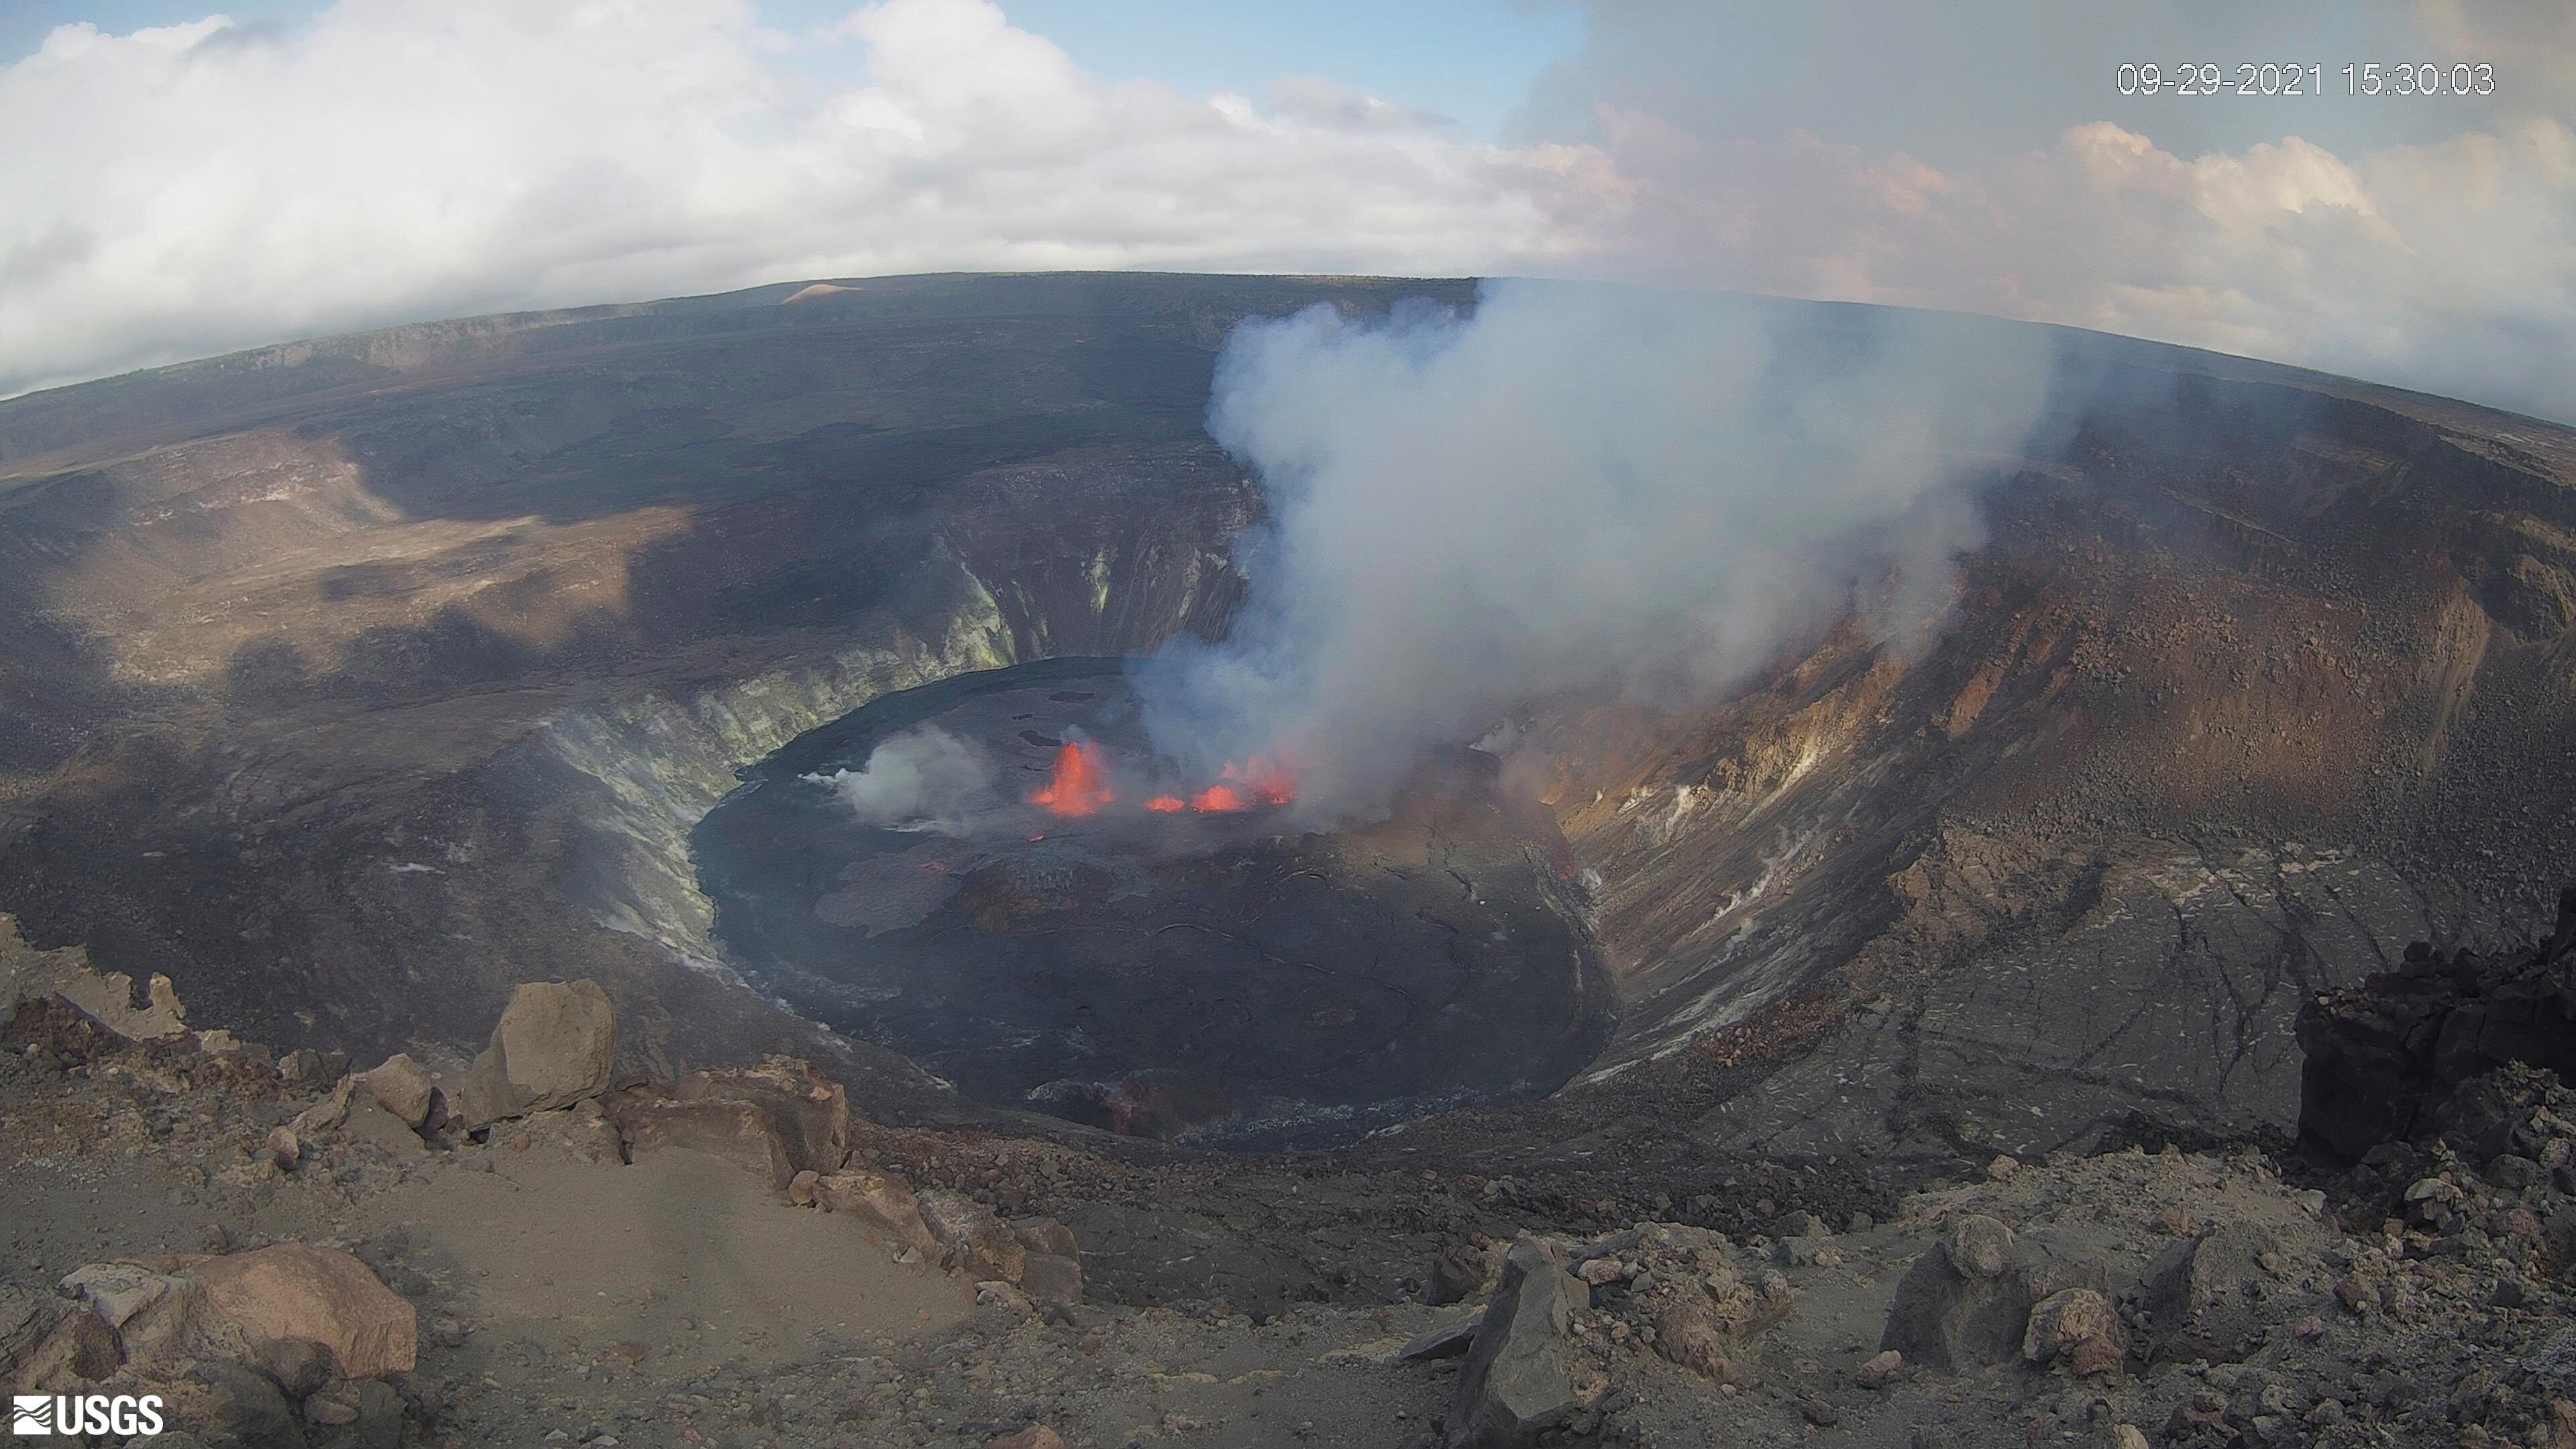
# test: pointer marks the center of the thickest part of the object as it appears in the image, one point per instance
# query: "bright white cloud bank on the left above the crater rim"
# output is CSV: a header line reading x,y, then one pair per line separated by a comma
x,y
210,187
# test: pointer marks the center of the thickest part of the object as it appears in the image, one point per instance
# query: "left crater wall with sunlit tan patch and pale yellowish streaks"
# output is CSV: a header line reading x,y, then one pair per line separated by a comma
x,y
359,703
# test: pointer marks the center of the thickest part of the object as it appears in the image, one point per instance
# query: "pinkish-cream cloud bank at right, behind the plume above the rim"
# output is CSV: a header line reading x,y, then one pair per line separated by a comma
x,y
2446,267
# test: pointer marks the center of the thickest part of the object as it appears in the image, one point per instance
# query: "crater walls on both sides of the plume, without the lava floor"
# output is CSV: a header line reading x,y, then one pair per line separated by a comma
x,y
370,677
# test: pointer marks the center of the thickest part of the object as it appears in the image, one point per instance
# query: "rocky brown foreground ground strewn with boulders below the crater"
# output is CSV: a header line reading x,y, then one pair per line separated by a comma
x,y
527,1252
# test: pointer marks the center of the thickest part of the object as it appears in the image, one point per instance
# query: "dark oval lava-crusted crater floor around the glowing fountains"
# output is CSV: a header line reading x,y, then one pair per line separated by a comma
x,y
1204,976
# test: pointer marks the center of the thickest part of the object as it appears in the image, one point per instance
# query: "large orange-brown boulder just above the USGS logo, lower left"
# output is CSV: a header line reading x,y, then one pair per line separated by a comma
x,y
318,1296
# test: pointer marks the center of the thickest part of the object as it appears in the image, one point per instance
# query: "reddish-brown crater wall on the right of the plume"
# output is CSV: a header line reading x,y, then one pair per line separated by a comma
x,y
2248,690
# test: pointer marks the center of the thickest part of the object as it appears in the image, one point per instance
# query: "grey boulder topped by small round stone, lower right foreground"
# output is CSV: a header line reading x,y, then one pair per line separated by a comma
x,y
1967,1301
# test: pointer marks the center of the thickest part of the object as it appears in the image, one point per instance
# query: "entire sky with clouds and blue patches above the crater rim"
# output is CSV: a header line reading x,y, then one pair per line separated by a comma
x,y
207,182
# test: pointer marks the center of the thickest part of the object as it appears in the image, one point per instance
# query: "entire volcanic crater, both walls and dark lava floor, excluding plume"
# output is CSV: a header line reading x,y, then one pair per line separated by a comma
x,y
372,677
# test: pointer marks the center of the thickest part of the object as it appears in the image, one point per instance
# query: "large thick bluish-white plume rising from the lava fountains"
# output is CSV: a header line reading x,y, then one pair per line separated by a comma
x,y
1575,489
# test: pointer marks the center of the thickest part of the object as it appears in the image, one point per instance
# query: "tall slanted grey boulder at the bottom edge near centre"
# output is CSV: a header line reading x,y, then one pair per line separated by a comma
x,y
1519,1381
